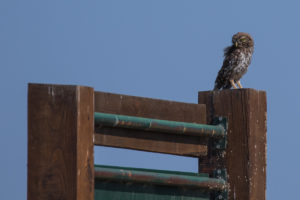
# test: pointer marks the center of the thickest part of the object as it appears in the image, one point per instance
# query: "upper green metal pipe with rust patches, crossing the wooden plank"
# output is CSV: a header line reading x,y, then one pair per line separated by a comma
x,y
141,123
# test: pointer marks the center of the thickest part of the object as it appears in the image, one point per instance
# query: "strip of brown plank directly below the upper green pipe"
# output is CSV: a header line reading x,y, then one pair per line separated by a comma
x,y
151,141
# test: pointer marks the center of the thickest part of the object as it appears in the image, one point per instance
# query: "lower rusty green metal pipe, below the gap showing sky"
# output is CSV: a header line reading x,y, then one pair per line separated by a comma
x,y
158,178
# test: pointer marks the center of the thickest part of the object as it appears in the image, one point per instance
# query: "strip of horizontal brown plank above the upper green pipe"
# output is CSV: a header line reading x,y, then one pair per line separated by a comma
x,y
149,108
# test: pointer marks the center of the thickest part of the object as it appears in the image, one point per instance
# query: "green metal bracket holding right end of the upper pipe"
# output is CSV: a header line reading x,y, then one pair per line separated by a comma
x,y
220,143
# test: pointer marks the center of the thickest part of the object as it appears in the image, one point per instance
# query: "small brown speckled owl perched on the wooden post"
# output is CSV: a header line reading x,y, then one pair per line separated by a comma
x,y
237,59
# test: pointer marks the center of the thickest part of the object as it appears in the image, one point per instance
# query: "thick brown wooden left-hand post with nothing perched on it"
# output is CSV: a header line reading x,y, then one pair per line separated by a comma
x,y
60,142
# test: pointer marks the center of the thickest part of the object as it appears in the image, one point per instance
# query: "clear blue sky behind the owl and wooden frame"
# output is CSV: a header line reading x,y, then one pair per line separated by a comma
x,y
167,49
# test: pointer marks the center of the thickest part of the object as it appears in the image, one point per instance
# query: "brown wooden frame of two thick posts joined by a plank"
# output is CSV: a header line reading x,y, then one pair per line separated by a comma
x,y
62,135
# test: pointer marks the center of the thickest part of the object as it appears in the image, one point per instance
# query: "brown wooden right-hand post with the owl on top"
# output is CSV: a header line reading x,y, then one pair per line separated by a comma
x,y
245,158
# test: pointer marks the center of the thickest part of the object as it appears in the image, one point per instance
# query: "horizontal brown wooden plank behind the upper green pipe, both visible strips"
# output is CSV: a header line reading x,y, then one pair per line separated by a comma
x,y
147,140
